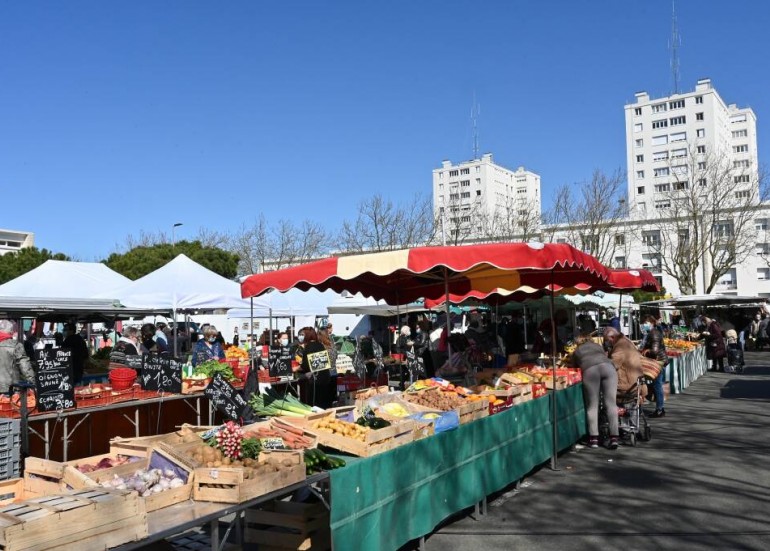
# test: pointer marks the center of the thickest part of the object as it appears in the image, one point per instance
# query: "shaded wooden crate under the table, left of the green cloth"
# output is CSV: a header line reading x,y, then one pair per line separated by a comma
x,y
284,525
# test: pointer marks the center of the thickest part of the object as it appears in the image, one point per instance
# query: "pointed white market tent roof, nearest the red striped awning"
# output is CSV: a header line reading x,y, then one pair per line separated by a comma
x,y
180,285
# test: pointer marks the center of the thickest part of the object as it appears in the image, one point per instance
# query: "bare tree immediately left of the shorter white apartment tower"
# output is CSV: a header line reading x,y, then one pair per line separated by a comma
x,y
382,225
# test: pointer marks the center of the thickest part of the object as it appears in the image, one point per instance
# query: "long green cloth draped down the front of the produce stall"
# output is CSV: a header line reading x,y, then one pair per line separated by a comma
x,y
385,501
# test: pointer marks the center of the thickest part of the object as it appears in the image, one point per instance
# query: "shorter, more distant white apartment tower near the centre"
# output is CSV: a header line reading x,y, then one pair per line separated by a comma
x,y
477,197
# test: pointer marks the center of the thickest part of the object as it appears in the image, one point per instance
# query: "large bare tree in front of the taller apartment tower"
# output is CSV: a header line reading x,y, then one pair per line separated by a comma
x,y
703,216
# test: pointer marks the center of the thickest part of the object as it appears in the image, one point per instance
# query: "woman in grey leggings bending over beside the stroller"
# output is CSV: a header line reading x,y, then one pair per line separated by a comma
x,y
599,375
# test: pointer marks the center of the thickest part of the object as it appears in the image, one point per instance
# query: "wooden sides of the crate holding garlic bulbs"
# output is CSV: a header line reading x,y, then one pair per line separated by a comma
x,y
160,457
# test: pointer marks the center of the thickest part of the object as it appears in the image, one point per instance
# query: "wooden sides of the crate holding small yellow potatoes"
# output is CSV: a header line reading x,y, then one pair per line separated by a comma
x,y
376,441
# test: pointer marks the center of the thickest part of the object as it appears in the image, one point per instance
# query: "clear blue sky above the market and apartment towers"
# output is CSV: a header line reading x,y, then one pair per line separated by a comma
x,y
117,117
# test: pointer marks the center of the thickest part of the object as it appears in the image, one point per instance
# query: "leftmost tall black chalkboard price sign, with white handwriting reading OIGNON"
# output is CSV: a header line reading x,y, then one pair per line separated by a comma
x,y
54,380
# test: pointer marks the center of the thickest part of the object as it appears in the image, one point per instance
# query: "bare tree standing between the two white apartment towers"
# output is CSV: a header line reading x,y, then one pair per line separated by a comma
x,y
592,218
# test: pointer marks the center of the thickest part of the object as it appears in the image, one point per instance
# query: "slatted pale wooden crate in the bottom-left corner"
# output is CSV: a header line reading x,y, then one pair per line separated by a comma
x,y
77,520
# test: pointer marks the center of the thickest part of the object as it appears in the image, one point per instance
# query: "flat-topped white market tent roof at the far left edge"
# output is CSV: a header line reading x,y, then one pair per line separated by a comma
x,y
64,279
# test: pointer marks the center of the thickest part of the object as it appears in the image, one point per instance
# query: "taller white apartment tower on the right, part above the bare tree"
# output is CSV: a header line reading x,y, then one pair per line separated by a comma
x,y
668,139
